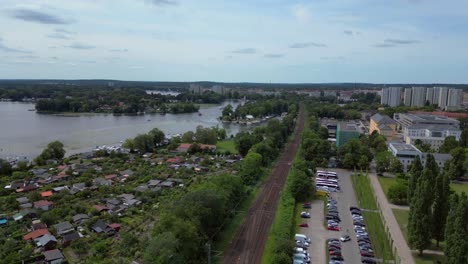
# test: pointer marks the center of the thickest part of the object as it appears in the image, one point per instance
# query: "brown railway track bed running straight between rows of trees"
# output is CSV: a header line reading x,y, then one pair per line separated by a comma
x,y
249,241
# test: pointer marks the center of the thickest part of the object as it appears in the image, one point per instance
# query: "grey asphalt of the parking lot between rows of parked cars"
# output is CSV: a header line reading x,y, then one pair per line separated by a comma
x,y
318,233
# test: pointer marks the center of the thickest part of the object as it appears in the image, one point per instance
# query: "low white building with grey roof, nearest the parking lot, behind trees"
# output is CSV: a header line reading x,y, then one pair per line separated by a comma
x,y
406,153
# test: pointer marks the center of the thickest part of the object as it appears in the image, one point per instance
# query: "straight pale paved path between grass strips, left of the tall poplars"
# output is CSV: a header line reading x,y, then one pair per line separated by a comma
x,y
399,241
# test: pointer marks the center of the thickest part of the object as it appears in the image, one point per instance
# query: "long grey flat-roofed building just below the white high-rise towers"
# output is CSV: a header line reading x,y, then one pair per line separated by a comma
x,y
405,120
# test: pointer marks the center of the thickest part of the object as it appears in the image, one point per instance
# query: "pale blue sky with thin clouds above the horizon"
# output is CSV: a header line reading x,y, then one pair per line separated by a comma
x,y
281,41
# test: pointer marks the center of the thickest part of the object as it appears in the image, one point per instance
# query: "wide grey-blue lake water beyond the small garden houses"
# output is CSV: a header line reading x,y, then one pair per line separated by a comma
x,y
26,133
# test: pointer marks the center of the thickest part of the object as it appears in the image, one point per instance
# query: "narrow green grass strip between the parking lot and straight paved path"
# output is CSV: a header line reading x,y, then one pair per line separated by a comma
x,y
366,200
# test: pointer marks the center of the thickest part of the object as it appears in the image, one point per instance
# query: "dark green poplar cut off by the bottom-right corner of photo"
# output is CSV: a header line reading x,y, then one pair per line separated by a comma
x,y
456,230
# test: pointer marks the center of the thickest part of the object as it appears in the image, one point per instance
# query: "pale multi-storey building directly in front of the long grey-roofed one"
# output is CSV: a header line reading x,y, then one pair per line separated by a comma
x,y
433,135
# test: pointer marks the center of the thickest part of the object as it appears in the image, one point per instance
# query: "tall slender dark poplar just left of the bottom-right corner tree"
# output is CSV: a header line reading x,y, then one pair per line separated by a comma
x,y
440,206
